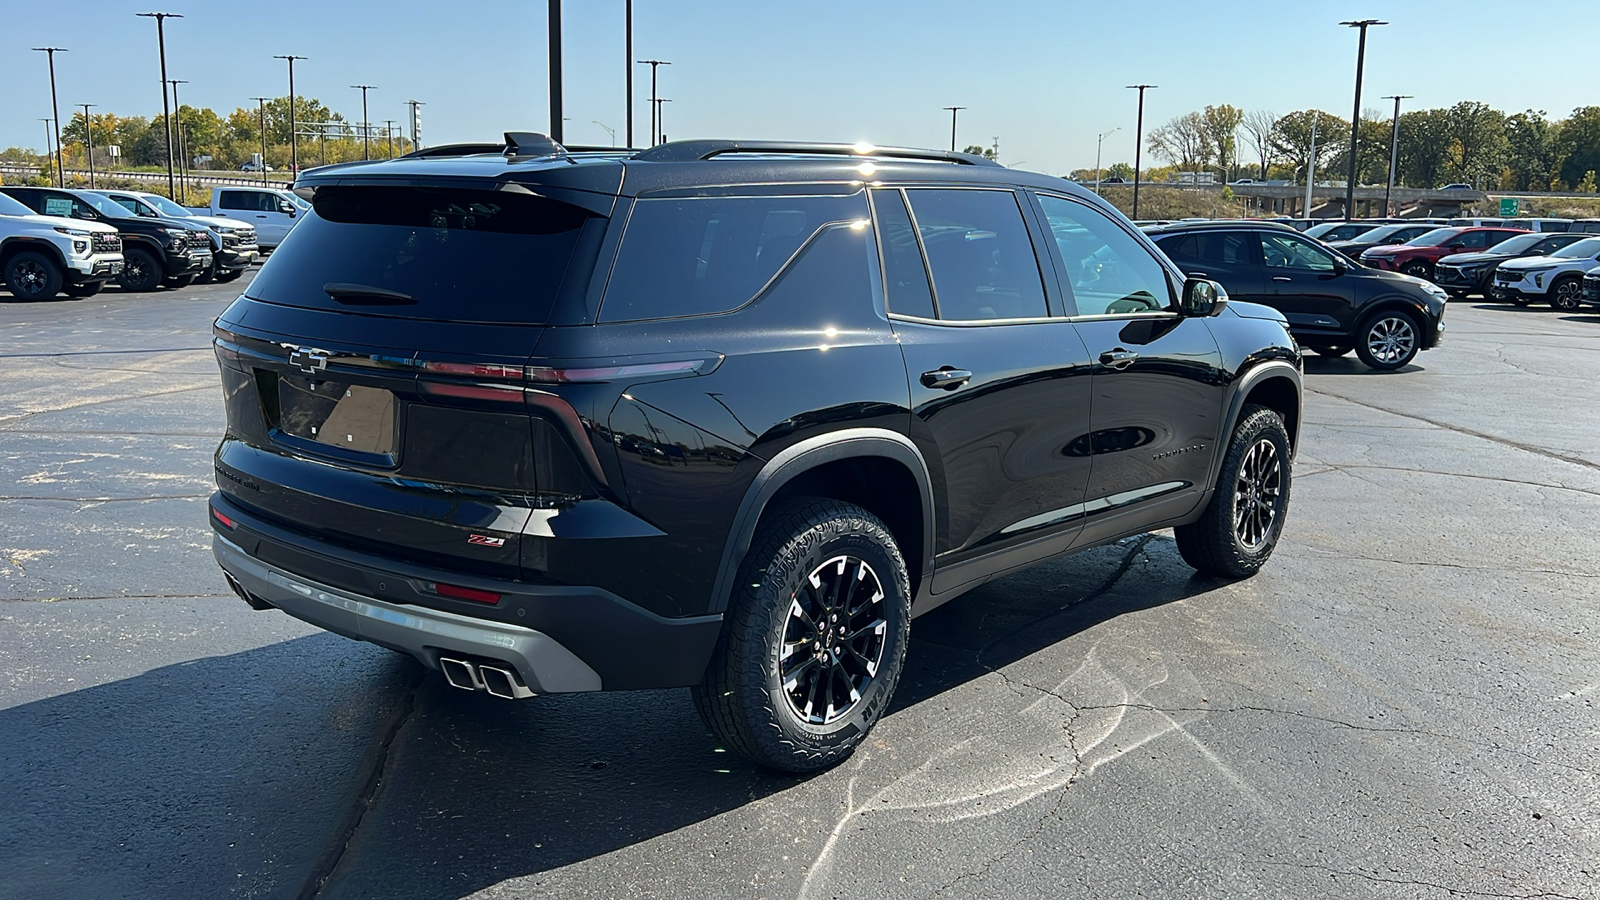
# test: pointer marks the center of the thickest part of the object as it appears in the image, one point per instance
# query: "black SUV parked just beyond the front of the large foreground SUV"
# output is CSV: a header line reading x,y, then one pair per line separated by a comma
x,y
1330,302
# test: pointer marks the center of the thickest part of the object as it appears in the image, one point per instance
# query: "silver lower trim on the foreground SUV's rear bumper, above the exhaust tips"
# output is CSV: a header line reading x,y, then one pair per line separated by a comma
x,y
543,664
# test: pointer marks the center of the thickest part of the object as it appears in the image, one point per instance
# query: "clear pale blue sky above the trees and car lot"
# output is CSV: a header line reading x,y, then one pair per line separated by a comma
x,y
1042,76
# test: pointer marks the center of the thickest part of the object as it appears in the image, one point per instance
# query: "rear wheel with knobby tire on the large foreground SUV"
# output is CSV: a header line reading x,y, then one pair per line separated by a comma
x,y
815,638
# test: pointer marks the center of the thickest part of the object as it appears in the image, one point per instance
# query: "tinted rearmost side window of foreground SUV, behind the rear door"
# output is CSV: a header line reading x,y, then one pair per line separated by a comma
x,y
694,257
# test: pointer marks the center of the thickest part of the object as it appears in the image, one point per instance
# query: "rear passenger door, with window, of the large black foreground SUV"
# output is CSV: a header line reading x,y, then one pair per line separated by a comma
x,y
999,387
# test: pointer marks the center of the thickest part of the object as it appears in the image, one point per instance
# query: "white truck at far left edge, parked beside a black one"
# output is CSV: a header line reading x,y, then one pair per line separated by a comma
x,y
46,255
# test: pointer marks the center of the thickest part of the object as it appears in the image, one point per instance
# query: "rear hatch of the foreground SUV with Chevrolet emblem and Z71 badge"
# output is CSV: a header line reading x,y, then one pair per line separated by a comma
x,y
374,371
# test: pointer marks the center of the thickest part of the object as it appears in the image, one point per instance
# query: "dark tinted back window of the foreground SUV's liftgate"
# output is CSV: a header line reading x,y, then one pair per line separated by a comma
x,y
458,255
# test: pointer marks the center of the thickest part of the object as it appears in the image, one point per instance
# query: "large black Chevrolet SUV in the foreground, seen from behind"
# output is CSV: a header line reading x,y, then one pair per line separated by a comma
x,y
721,416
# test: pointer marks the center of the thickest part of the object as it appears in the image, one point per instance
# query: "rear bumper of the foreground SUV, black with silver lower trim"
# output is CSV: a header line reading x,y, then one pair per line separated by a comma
x,y
559,638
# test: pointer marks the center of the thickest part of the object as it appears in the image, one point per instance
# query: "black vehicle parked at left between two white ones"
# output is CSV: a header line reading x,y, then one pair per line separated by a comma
x,y
156,251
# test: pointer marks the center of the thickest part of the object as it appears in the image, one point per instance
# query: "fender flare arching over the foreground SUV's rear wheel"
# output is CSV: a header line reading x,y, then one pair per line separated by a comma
x,y
802,457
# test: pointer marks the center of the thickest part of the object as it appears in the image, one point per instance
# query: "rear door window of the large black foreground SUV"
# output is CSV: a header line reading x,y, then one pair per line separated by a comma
x,y
982,255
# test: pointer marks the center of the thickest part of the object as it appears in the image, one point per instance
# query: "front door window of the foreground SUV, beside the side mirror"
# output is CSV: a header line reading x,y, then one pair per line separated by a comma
x,y
1108,271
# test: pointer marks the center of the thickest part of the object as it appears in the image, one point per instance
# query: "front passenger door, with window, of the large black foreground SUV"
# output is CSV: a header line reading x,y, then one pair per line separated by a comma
x,y
1159,382
